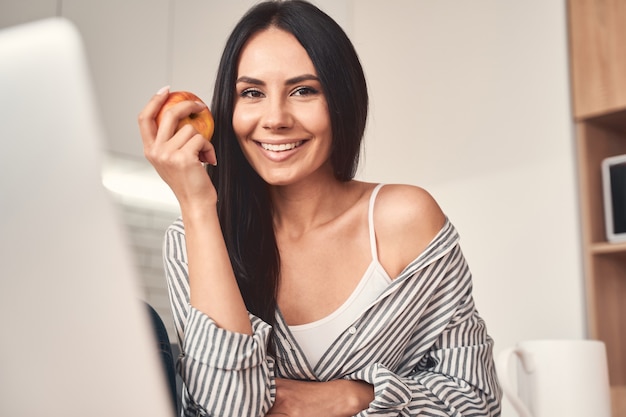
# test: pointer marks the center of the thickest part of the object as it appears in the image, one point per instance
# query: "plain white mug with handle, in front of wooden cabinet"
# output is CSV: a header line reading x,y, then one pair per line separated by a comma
x,y
557,378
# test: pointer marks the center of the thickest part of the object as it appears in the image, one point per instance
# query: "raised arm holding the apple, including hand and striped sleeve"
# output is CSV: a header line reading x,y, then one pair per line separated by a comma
x,y
224,364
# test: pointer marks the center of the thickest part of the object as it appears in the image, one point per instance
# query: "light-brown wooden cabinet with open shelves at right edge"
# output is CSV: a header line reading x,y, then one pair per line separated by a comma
x,y
597,40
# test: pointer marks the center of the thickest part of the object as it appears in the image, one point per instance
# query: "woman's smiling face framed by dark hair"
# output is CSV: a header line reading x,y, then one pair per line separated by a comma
x,y
281,116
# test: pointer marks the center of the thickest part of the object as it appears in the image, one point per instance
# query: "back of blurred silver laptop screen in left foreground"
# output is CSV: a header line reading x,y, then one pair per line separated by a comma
x,y
76,337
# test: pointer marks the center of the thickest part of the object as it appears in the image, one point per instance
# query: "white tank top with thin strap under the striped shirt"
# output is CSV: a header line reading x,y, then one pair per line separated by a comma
x,y
315,338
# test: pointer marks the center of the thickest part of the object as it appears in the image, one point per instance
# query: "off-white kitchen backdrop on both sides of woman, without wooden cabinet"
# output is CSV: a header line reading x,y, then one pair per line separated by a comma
x,y
470,100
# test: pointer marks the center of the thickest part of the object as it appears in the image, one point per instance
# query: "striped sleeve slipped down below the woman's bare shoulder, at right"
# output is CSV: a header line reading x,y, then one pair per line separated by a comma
x,y
446,367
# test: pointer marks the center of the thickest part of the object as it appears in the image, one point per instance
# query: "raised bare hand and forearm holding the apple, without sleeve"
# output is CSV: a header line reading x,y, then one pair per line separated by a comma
x,y
177,156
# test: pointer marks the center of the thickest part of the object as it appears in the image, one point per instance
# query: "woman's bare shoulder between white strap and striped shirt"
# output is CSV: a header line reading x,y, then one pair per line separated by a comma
x,y
406,219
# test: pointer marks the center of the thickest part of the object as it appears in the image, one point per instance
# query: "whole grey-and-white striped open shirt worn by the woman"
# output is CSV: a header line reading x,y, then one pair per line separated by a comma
x,y
421,344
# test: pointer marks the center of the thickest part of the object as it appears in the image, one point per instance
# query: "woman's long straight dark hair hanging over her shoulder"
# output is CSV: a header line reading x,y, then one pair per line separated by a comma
x,y
244,205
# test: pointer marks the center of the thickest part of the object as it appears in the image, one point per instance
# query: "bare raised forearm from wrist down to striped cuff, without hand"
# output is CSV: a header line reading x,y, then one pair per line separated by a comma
x,y
213,287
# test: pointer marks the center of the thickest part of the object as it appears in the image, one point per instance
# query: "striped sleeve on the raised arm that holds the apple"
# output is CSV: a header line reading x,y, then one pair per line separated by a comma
x,y
224,373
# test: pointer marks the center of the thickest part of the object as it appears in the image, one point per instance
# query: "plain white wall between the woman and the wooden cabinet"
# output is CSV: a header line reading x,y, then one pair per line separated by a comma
x,y
471,101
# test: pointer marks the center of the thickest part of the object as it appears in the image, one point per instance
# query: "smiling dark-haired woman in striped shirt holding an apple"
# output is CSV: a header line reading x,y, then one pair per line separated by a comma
x,y
297,290
